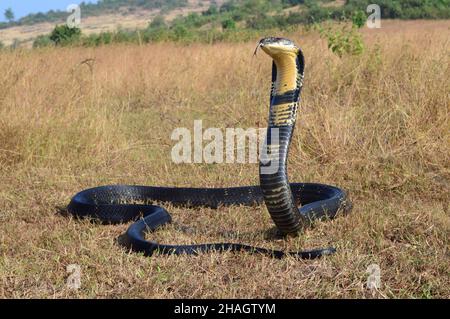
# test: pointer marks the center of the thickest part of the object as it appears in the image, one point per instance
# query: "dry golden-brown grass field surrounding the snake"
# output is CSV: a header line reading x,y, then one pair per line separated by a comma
x,y
377,125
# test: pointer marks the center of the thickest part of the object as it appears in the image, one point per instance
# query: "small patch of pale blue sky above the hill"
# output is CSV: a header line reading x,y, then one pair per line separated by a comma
x,y
23,7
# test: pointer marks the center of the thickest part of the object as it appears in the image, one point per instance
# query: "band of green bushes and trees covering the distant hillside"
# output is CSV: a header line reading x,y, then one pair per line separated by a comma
x,y
238,20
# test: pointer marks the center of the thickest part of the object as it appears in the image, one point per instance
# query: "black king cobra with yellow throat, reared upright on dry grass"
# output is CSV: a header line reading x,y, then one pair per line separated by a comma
x,y
117,204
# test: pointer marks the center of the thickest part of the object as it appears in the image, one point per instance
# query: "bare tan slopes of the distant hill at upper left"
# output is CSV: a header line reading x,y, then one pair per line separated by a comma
x,y
106,15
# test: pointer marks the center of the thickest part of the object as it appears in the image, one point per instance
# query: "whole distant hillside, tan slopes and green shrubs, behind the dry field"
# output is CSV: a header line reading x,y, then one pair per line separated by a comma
x,y
190,19
